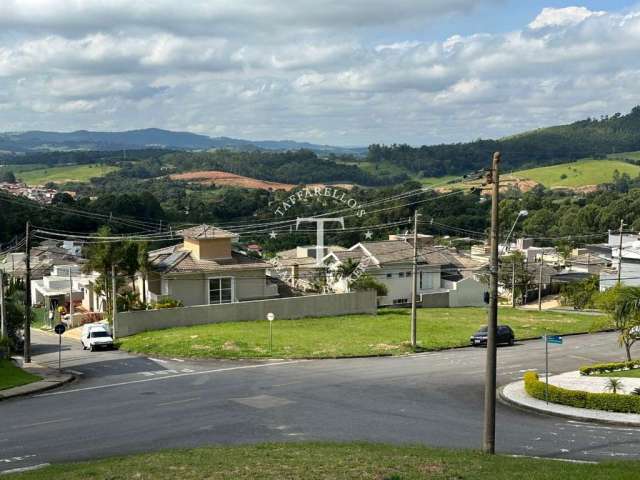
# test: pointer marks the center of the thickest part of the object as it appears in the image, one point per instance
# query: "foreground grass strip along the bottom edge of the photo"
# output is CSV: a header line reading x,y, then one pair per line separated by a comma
x,y
314,461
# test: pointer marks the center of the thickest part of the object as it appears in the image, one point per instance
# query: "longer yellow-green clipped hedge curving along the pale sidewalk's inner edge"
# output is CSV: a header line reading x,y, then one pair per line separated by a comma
x,y
610,402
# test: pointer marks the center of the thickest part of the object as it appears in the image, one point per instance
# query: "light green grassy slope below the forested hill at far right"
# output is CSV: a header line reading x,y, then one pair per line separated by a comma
x,y
578,174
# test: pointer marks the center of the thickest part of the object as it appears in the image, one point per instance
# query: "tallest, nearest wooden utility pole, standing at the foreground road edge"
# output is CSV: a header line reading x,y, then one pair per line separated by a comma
x,y
489,439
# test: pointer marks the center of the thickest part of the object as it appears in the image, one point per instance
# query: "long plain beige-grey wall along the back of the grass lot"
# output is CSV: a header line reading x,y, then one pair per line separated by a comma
x,y
130,323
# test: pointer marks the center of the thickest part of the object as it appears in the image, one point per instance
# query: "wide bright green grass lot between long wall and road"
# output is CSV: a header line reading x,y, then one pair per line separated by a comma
x,y
350,335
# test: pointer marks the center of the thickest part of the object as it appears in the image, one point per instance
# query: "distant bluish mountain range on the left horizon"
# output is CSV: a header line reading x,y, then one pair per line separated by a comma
x,y
21,142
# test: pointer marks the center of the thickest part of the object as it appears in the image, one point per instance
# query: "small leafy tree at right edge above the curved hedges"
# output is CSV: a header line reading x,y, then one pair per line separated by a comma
x,y
623,306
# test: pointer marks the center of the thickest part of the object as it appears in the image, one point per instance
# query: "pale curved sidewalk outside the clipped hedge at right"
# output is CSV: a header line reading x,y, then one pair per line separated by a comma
x,y
514,394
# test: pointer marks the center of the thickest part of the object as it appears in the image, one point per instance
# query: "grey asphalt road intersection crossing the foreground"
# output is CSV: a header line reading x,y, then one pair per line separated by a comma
x,y
123,404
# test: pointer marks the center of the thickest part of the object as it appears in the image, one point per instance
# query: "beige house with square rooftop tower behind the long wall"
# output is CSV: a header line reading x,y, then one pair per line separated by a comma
x,y
204,269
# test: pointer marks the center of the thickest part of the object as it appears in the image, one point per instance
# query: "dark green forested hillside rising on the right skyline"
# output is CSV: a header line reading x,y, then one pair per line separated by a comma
x,y
590,137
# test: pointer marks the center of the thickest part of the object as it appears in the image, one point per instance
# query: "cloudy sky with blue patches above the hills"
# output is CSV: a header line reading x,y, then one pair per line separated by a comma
x,y
339,72
